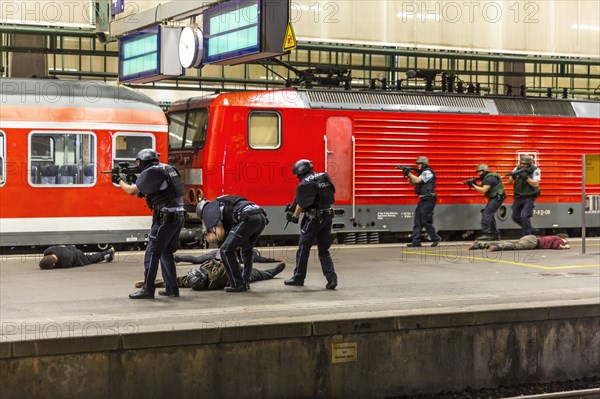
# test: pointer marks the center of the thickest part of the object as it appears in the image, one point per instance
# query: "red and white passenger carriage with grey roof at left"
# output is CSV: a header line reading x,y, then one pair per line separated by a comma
x,y
55,139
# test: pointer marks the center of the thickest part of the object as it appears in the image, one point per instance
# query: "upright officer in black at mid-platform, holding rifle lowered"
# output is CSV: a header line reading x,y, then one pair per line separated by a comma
x,y
314,196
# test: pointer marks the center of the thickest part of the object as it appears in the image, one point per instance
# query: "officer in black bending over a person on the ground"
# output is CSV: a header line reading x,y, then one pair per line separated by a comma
x,y
236,223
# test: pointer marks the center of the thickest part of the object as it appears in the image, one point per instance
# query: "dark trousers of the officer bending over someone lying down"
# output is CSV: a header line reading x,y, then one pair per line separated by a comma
x,y
243,235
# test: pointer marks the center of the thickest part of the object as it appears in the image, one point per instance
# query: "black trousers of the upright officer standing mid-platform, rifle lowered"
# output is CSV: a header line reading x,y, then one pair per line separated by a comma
x,y
311,228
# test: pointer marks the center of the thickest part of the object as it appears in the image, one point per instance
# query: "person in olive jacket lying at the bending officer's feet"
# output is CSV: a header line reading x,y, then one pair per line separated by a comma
x,y
211,275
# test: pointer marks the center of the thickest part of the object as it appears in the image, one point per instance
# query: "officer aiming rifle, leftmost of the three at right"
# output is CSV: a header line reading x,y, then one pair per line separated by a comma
x,y
424,182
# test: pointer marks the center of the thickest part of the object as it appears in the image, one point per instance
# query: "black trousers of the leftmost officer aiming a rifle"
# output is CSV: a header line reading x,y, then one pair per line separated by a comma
x,y
162,244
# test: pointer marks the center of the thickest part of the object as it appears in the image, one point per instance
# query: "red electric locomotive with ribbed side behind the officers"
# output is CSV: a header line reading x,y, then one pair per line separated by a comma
x,y
246,143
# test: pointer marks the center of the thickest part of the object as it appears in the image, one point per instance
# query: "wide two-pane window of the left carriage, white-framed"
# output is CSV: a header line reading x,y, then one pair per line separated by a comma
x,y
62,159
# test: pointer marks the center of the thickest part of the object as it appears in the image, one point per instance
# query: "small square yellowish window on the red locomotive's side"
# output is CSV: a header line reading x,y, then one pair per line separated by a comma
x,y
264,130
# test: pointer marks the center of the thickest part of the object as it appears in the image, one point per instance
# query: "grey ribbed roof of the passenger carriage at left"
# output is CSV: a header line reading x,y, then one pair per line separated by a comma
x,y
72,93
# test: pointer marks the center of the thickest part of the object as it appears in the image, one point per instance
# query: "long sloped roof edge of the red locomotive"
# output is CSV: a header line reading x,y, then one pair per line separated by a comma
x,y
400,102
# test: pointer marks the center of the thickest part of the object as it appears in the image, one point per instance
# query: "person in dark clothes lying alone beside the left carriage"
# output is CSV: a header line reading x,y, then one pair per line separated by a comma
x,y
60,257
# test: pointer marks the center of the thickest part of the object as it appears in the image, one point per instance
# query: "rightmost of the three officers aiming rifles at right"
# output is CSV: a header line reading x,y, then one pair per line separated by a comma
x,y
526,178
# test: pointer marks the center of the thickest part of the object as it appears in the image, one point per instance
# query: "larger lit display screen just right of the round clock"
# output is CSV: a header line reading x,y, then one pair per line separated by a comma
x,y
232,30
